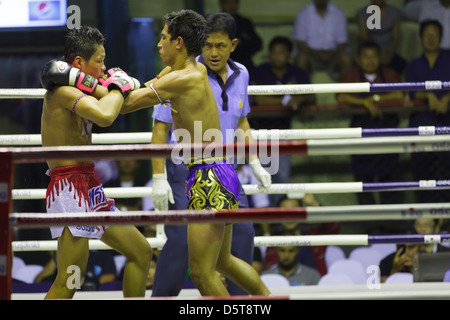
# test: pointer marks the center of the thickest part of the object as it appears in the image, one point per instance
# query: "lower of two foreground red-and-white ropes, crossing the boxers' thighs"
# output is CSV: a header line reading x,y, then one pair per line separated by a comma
x,y
409,211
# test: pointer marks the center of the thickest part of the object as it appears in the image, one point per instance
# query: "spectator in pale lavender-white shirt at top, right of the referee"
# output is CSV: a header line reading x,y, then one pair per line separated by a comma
x,y
320,32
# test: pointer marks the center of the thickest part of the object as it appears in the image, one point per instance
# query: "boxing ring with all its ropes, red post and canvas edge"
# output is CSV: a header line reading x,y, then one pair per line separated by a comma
x,y
313,142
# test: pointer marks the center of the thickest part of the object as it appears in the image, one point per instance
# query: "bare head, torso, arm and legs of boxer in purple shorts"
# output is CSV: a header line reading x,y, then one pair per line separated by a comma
x,y
184,87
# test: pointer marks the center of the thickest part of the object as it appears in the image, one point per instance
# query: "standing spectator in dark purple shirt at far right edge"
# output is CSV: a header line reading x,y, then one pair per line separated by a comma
x,y
433,64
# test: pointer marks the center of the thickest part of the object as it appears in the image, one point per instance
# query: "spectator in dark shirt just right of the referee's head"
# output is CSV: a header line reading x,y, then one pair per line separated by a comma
x,y
276,72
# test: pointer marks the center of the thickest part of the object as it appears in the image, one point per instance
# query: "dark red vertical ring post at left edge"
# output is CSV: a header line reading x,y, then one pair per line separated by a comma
x,y
6,174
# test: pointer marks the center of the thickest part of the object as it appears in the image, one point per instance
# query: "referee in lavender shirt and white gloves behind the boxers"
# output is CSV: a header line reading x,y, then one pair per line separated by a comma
x,y
229,81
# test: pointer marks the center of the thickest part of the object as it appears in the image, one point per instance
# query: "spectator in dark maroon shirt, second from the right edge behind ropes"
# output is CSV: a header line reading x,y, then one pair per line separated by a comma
x,y
372,168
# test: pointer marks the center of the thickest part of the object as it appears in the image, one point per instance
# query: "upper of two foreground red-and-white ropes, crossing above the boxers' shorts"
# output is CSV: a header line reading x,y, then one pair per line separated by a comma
x,y
318,147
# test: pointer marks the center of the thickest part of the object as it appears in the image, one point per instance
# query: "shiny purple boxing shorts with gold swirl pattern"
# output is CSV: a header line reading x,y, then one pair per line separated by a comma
x,y
212,186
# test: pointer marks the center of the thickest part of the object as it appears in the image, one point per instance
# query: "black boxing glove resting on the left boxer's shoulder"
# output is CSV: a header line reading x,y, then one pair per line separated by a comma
x,y
60,73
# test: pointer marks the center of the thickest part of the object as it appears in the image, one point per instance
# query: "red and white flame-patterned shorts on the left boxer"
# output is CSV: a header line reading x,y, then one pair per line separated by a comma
x,y
77,189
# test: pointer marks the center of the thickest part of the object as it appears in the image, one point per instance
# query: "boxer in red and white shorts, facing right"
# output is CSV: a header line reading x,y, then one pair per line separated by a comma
x,y
72,103
